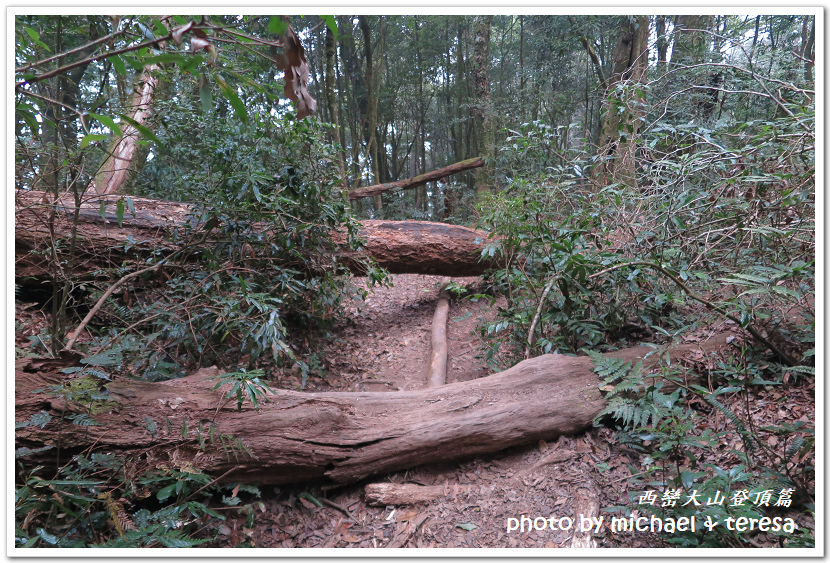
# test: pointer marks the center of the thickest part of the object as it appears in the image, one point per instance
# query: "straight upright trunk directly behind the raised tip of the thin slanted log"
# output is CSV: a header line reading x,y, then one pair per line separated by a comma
x,y
483,111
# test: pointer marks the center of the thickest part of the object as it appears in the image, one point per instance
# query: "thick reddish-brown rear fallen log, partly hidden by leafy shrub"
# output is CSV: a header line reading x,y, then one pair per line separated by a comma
x,y
402,247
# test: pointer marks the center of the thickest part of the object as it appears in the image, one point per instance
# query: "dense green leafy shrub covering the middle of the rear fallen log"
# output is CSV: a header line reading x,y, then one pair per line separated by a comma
x,y
260,255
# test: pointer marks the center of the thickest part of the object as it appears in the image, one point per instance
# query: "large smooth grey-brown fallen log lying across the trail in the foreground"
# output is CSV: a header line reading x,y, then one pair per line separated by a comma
x,y
331,437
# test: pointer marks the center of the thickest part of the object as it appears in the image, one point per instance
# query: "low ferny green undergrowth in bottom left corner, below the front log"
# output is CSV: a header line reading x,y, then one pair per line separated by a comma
x,y
102,500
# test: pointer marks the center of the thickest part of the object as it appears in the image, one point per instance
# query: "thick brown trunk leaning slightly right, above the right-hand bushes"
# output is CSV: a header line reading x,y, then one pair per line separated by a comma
x,y
624,105
